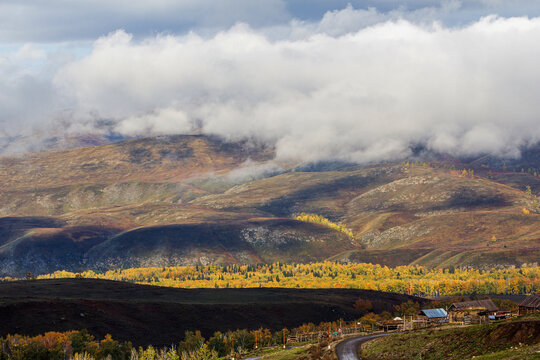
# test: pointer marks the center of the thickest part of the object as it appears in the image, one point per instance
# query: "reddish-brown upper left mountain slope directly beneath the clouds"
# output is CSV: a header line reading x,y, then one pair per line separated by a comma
x,y
165,159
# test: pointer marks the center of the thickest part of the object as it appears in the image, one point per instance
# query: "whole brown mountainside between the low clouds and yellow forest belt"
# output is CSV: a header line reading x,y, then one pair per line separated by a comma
x,y
182,200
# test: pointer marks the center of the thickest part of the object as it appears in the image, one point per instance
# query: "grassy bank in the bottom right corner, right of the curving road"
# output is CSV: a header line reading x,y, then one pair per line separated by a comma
x,y
456,343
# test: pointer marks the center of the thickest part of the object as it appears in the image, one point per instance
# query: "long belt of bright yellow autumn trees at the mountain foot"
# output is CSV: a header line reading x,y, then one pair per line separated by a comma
x,y
412,280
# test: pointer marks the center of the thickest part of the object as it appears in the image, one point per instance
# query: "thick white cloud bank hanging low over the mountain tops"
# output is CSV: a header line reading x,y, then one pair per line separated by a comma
x,y
359,85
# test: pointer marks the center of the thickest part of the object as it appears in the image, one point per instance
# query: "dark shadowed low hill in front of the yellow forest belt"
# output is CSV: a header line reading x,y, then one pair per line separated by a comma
x,y
160,316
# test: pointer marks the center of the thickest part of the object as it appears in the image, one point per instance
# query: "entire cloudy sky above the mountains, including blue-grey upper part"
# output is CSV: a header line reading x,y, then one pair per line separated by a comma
x,y
358,81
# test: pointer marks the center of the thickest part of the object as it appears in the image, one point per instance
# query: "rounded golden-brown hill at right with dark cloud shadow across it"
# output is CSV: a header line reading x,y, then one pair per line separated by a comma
x,y
450,221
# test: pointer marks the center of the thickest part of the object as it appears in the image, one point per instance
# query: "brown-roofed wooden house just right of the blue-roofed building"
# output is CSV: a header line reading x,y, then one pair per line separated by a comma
x,y
474,311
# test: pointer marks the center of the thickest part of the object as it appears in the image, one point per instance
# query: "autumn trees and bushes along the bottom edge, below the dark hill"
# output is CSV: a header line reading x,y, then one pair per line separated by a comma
x,y
81,345
